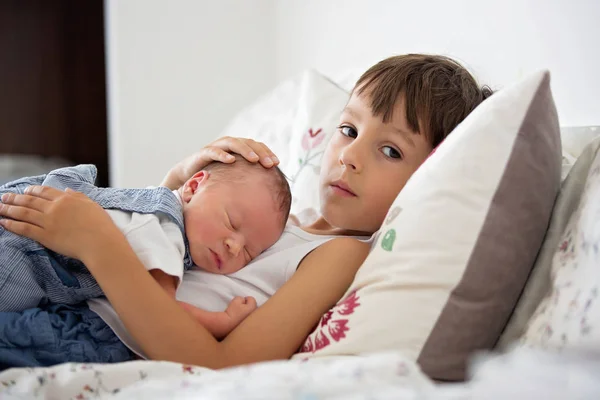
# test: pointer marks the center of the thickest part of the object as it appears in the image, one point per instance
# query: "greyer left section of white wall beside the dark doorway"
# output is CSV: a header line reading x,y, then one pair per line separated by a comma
x,y
177,70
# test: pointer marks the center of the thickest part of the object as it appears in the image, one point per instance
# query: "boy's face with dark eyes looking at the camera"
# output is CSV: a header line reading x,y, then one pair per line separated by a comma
x,y
366,164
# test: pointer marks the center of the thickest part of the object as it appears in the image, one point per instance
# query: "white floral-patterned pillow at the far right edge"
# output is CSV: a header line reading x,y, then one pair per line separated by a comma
x,y
569,316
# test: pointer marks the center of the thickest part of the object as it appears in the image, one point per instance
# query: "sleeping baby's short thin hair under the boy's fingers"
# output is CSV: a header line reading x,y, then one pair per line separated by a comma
x,y
275,179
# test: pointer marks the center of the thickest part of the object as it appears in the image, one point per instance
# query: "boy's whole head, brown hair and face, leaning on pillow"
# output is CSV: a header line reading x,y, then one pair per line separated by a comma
x,y
399,110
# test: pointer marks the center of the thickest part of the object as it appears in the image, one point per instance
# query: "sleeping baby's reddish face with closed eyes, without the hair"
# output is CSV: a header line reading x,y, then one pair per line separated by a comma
x,y
228,224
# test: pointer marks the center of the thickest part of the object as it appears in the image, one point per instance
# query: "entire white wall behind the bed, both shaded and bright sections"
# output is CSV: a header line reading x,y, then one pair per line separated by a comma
x,y
178,70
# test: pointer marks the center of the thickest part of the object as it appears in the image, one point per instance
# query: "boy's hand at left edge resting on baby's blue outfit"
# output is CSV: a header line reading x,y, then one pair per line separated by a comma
x,y
67,222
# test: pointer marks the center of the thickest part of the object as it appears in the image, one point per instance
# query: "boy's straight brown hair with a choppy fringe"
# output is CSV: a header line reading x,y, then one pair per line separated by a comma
x,y
439,92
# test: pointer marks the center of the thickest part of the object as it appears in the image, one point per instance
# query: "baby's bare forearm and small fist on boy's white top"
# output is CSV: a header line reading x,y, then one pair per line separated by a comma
x,y
219,324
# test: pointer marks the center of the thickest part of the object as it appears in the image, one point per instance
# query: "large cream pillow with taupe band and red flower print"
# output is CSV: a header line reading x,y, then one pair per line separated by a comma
x,y
459,241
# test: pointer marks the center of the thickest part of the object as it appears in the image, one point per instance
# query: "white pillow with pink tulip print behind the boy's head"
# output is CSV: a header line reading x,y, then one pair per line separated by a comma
x,y
296,120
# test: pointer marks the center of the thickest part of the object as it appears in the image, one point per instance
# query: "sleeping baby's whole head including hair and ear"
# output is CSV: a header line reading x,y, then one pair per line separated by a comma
x,y
233,212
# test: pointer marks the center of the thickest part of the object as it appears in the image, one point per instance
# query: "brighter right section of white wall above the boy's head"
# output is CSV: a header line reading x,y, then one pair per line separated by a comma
x,y
499,40
